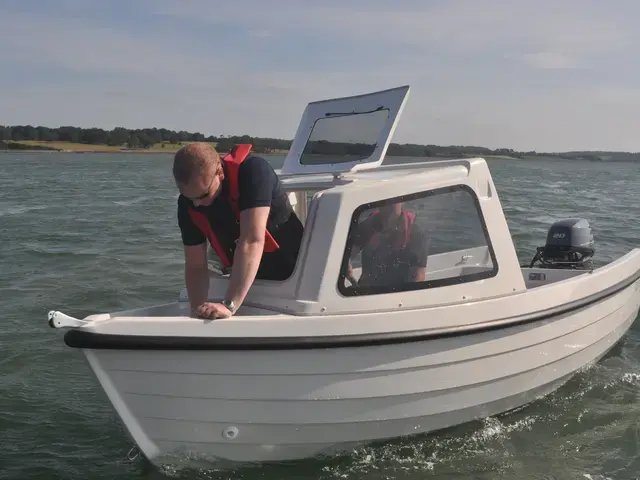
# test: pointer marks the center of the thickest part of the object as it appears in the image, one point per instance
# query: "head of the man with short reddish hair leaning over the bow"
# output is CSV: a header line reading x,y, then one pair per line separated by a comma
x,y
197,170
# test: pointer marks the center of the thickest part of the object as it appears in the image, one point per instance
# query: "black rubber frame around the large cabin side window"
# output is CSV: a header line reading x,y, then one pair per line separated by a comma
x,y
356,291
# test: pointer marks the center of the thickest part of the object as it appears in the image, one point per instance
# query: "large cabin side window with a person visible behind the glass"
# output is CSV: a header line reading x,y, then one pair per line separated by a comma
x,y
418,241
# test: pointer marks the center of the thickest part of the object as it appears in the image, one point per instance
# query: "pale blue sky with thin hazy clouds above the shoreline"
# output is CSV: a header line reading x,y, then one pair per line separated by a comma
x,y
547,75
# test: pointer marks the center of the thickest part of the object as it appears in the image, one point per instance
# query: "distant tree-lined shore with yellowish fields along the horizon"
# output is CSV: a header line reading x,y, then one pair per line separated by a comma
x,y
162,140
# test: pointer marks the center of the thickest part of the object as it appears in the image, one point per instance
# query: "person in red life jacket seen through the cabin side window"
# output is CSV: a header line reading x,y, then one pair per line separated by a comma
x,y
394,248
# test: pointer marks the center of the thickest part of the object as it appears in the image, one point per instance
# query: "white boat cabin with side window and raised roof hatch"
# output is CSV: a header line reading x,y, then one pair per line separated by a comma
x,y
382,237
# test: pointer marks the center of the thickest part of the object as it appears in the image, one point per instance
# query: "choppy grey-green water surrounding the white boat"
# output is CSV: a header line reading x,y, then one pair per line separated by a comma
x,y
87,234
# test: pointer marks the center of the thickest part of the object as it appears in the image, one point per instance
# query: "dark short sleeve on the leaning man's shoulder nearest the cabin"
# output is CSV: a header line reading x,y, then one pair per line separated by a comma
x,y
256,182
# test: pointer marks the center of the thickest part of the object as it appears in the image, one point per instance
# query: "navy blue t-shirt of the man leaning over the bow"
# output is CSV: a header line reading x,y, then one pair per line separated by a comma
x,y
259,186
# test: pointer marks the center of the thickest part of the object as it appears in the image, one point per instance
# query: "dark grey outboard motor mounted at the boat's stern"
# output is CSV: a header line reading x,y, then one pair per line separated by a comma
x,y
569,245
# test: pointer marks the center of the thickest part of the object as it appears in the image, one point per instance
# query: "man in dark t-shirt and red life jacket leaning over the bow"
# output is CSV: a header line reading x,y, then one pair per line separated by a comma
x,y
238,204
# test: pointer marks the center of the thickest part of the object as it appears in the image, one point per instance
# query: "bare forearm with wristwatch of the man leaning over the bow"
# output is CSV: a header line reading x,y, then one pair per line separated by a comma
x,y
248,254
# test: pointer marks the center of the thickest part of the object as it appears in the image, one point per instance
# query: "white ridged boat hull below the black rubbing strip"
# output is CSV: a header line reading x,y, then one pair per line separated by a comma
x,y
247,406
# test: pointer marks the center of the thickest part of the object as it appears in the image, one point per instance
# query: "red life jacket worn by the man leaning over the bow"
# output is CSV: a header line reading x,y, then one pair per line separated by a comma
x,y
231,163
